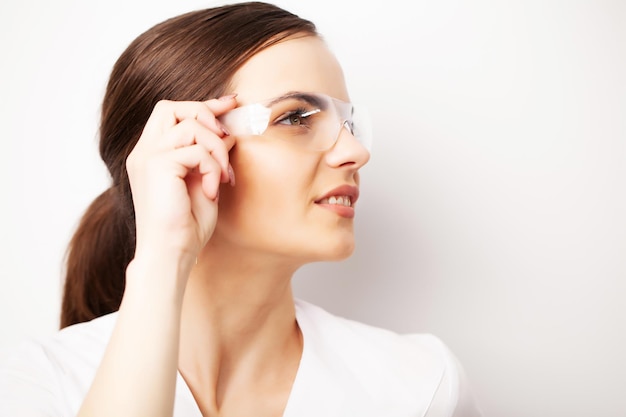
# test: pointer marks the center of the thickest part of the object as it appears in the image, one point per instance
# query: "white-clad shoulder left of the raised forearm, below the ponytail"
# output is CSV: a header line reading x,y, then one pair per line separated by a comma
x,y
49,376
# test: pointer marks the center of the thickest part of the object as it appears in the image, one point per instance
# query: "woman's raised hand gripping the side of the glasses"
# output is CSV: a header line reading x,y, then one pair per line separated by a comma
x,y
175,171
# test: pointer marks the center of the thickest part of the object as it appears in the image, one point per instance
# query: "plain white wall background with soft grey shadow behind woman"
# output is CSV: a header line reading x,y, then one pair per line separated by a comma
x,y
492,211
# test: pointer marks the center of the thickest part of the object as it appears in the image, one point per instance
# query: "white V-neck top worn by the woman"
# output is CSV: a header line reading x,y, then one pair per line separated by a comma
x,y
347,369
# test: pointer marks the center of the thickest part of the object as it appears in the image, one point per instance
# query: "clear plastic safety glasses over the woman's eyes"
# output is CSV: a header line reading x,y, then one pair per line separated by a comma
x,y
310,120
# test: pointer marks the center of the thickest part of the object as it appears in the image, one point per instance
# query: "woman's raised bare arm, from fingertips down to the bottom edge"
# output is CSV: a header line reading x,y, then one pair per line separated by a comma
x,y
175,171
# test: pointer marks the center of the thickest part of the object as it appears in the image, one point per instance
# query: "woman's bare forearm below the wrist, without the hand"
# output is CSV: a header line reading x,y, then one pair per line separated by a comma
x,y
137,375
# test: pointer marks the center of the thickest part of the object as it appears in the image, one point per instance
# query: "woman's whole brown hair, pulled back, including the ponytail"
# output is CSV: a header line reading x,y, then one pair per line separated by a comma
x,y
189,57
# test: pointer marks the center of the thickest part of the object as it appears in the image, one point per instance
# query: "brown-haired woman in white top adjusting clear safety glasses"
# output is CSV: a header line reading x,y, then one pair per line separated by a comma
x,y
234,155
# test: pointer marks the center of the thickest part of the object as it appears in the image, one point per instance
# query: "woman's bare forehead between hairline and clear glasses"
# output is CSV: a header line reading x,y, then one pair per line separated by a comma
x,y
302,63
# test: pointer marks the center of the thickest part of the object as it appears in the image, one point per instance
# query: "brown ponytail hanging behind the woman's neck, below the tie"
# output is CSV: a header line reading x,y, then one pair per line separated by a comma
x,y
97,257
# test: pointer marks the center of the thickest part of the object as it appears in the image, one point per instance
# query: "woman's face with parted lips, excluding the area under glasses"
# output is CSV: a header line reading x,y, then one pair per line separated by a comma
x,y
290,201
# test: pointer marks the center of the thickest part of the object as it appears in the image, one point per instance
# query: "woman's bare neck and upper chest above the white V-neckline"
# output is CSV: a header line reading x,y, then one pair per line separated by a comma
x,y
238,324
